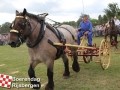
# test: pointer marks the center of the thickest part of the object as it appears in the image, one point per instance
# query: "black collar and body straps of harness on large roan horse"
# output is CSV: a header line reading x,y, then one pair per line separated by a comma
x,y
59,35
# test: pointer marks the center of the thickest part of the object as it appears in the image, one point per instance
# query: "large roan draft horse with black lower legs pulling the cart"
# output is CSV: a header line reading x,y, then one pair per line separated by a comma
x,y
37,34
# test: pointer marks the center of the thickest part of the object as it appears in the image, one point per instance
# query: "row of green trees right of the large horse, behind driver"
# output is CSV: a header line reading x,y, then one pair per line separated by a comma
x,y
112,10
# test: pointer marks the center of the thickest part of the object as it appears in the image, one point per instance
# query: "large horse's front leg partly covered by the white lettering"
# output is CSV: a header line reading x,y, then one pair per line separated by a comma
x,y
31,73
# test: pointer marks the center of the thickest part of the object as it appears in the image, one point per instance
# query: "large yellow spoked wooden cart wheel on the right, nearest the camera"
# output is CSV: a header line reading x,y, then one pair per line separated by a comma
x,y
104,54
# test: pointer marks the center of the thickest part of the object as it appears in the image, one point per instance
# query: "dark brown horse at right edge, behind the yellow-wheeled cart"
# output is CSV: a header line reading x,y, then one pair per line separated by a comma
x,y
112,31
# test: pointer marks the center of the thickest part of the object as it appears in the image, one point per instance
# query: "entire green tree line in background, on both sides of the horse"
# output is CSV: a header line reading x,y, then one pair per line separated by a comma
x,y
111,11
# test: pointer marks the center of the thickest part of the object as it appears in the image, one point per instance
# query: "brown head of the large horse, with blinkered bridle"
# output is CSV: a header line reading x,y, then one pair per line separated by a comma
x,y
20,29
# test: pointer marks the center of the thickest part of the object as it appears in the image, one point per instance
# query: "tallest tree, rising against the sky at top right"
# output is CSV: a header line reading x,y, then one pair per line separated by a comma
x,y
112,10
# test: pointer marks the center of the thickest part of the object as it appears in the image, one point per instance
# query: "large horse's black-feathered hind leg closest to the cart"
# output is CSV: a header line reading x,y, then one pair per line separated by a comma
x,y
75,64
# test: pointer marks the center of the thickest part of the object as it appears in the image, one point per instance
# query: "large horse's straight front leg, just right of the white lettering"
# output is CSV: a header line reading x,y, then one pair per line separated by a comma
x,y
50,84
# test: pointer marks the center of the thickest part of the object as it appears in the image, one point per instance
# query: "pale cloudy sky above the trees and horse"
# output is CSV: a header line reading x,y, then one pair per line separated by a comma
x,y
59,10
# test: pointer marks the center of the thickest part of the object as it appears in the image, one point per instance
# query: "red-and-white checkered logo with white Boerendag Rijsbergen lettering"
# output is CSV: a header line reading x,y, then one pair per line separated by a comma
x,y
7,81
